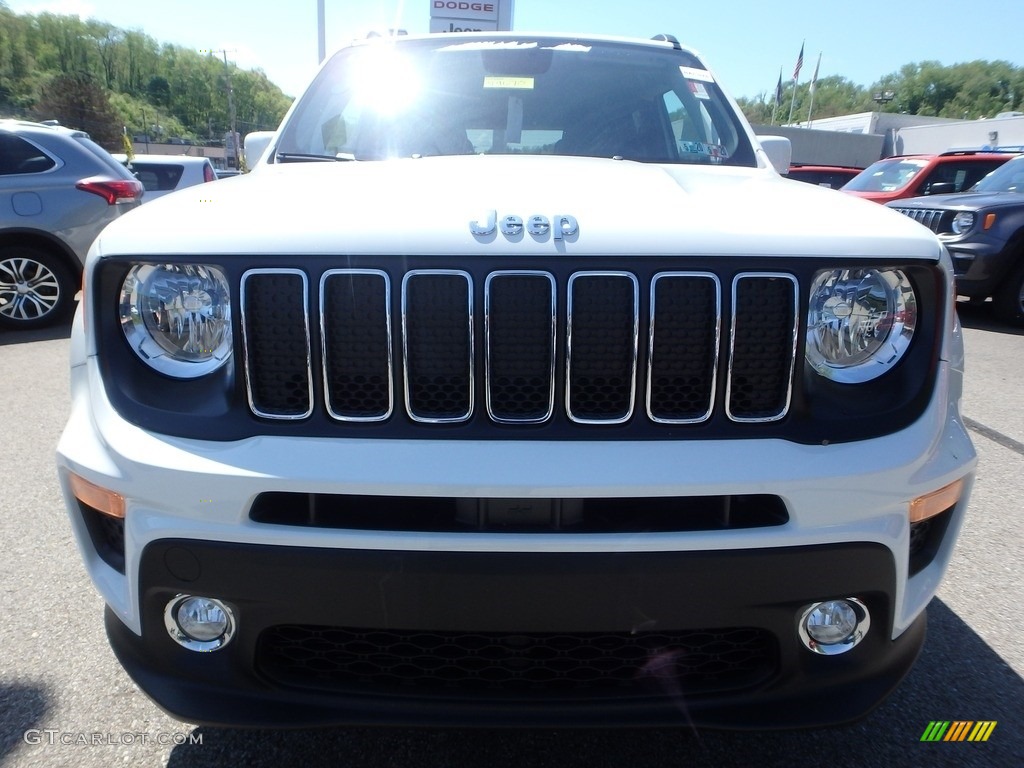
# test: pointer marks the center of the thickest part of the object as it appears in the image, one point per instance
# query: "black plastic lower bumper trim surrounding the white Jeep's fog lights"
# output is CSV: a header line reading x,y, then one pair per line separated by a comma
x,y
515,592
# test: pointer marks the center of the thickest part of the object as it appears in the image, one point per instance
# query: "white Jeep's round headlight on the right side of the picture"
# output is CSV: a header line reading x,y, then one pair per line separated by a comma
x,y
860,324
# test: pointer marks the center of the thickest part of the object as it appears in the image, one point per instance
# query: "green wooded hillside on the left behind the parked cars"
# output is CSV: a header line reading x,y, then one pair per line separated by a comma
x,y
130,80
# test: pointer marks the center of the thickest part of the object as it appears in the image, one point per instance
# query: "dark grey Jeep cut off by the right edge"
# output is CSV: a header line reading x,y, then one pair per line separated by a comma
x,y
985,231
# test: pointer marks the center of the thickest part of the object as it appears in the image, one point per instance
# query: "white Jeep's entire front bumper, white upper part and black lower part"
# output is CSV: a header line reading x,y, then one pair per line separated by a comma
x,y
659,595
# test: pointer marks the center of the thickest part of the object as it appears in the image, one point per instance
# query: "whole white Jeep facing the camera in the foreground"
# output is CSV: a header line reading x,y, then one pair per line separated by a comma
x,y
543,412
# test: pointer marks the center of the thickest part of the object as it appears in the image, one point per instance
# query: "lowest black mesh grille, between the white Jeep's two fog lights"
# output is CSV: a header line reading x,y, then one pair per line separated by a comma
x,y
691,662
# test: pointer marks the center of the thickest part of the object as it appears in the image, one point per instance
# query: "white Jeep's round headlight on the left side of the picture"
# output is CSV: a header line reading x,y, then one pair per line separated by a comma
x,y
178,318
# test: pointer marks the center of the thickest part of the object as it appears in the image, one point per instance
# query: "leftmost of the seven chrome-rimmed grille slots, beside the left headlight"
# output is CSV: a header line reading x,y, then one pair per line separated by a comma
x,y
276,338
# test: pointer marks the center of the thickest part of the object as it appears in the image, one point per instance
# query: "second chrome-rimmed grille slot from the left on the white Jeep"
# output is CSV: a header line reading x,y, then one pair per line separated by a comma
x,y
356,313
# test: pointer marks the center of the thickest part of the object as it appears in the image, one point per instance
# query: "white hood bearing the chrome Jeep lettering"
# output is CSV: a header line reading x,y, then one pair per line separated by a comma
x,y
426,205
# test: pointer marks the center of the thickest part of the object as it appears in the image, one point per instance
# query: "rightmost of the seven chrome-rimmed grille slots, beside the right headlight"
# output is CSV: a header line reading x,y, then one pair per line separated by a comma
x,y
763,347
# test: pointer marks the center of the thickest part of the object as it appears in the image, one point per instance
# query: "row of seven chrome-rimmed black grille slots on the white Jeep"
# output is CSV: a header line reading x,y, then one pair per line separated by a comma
x,y
614,338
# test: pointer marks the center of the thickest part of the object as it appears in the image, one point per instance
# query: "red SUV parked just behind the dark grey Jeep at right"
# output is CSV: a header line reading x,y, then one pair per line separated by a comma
x,y
915,176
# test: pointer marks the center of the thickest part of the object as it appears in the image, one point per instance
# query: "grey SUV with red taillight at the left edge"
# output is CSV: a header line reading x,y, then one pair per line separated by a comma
x,y
58,191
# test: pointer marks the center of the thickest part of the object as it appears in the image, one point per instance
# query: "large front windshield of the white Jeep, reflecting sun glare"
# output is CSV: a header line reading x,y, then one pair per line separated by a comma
x,y
442,97
